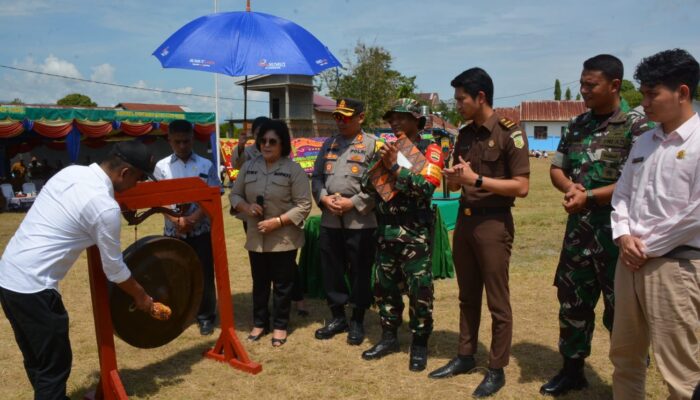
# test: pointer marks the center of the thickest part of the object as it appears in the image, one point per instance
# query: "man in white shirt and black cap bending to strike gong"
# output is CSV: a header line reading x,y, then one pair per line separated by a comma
x,y
75,210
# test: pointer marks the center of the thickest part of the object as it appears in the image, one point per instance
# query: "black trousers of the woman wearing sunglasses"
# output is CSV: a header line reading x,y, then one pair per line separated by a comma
x,y
272,271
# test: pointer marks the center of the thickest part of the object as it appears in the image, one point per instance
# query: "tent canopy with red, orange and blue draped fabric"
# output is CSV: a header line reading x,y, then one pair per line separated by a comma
x,y
24,128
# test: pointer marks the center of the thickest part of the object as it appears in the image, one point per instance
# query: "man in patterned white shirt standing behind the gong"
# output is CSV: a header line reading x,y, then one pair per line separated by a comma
x,y
194,227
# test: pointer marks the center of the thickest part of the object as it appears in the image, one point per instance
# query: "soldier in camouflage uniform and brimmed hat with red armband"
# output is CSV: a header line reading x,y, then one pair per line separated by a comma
x,y
403,263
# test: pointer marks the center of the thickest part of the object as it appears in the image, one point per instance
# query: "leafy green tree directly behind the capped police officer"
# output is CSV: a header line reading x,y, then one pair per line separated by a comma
x,y
369,78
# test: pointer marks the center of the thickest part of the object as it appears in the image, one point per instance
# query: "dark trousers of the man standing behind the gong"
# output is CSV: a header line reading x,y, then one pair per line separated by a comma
x,y
202,246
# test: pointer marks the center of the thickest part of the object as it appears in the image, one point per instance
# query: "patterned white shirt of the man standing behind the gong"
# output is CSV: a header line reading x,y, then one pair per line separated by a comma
x,y
172,167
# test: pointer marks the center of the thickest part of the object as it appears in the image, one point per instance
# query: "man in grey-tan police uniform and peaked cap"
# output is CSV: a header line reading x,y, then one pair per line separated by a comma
x,y
347,224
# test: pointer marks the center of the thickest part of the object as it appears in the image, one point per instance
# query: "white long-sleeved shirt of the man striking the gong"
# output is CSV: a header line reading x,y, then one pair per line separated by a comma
x,y
75,210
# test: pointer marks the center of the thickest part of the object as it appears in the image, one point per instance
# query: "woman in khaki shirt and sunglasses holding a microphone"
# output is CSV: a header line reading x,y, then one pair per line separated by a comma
x,y
273,194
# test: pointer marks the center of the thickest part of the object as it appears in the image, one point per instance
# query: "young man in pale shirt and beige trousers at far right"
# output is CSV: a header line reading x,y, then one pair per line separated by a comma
x,y
656,224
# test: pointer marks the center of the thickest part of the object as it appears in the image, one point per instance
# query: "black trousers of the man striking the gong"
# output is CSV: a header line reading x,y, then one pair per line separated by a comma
x,y
40,324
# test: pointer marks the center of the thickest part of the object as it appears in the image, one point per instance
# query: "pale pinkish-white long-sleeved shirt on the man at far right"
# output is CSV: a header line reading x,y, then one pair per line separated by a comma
x,y
657,198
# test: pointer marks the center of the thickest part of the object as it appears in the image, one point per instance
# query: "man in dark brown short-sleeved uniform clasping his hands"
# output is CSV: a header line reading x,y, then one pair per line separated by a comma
x,y
491,167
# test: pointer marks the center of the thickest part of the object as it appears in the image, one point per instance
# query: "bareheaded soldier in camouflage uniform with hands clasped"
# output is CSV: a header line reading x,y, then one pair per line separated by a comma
x,y
586,166
